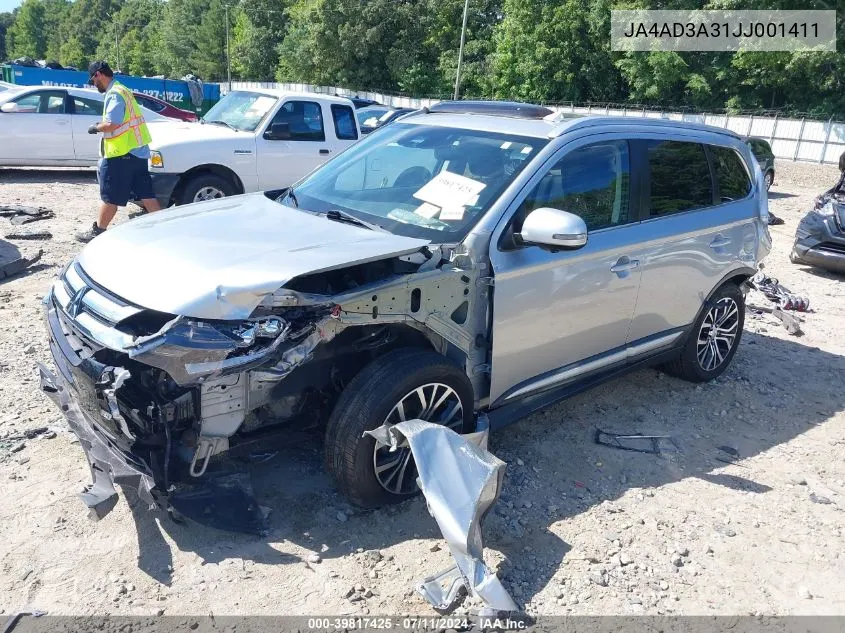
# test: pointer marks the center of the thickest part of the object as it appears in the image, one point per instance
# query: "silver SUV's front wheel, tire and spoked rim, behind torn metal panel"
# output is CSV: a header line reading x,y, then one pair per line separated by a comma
x,y
402,385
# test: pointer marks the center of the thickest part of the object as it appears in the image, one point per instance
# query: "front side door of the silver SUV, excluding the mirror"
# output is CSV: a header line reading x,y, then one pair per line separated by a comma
x,y
559,314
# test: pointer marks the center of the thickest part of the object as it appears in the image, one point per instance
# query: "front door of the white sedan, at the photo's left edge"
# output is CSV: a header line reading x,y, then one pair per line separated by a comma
x,y
39,131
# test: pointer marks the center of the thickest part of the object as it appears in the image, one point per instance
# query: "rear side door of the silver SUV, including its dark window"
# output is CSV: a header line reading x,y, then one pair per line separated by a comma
x,y
698,219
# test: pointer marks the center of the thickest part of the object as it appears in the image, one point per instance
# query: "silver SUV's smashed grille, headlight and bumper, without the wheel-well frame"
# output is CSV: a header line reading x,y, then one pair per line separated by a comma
x,y
152,397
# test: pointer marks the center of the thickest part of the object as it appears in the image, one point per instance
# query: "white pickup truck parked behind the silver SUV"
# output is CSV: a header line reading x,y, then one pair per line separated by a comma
x,y
251,140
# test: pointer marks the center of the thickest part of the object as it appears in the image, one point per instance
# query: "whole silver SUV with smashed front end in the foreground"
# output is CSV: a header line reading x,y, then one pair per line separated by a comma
x,y
470,262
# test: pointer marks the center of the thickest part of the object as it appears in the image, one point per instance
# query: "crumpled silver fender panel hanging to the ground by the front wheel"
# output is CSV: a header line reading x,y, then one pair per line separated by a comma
x,y
461,481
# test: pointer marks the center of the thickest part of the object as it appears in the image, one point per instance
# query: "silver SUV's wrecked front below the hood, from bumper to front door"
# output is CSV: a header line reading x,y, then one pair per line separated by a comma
x,y
154,397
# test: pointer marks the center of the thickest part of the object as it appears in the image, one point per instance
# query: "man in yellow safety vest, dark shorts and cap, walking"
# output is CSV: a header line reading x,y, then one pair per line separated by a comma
x,y
124,151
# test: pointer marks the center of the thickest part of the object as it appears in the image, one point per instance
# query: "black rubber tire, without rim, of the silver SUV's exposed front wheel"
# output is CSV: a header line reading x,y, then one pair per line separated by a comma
x,y
366,403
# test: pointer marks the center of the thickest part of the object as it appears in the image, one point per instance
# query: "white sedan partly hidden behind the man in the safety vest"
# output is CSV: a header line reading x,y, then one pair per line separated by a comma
x,y
47,126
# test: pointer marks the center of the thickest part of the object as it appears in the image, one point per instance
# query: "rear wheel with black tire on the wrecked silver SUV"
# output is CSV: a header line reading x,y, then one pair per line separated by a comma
x,y
690,365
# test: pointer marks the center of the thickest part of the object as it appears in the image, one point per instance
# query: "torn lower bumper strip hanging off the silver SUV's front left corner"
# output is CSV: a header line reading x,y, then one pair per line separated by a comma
x,y
107,463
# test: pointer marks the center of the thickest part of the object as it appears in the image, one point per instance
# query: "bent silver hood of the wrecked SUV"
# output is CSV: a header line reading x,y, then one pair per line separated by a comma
x,y
219,259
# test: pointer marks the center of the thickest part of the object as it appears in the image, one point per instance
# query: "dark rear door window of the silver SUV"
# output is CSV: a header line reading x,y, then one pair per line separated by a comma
x,y
680,177
